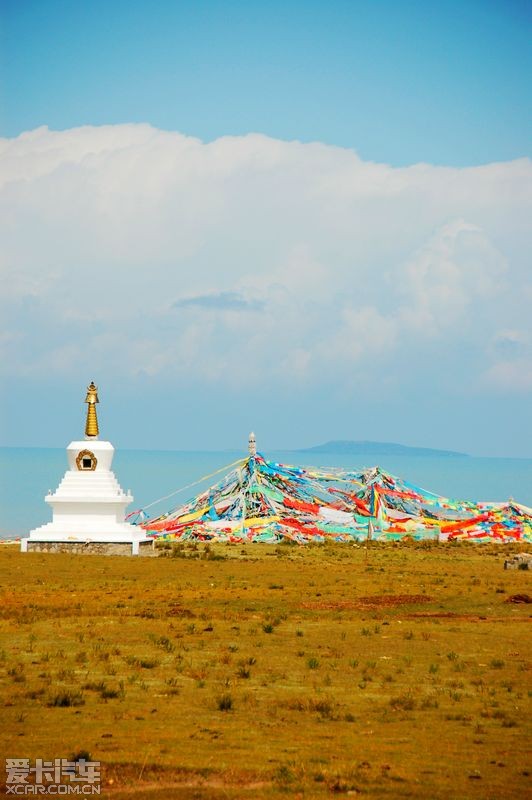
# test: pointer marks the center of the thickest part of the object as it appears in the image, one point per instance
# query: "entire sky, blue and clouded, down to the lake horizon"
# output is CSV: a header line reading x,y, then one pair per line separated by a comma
x,y
310,219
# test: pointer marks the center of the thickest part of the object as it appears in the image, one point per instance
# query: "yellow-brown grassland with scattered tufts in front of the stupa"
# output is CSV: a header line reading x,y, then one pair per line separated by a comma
x,y
264,672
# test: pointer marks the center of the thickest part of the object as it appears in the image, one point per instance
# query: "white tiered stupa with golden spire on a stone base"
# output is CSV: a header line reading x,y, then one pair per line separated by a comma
x,y
89,505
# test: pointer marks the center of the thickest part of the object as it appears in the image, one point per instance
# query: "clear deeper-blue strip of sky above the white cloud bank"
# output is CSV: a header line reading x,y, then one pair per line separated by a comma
x,y
399,81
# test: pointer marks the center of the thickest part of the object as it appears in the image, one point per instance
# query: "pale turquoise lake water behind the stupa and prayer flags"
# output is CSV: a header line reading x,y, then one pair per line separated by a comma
x,y
26,475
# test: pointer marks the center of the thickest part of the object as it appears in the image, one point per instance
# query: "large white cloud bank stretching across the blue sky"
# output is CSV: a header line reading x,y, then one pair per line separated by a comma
x,y
251,259
